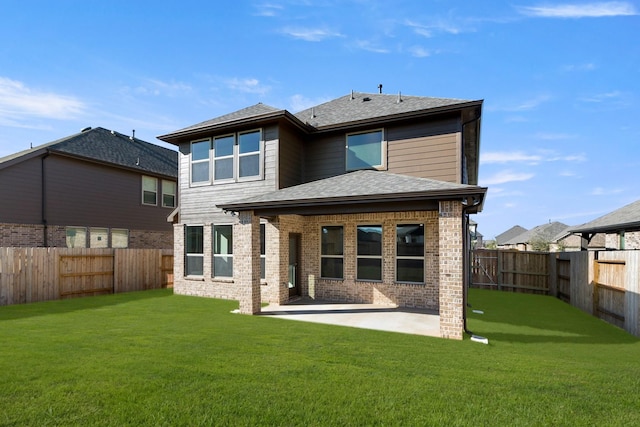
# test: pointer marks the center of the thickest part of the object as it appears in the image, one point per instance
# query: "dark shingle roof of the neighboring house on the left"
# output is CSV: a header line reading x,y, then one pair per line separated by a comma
x,y
113,148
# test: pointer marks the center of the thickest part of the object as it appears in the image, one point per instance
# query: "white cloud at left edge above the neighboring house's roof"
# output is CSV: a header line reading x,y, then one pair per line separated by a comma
x,y
19,102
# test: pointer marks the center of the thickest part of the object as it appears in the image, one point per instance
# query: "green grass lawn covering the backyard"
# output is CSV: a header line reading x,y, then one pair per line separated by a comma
x,y
152,358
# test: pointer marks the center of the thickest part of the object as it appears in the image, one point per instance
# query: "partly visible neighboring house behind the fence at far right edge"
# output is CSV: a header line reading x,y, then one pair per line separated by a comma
x,y
621,228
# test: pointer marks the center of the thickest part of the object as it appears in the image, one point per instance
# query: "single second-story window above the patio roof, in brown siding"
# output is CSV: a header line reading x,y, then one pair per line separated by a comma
x,y
366,150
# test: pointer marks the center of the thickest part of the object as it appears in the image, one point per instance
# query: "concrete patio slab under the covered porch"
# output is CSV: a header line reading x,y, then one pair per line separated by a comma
x,y
367,316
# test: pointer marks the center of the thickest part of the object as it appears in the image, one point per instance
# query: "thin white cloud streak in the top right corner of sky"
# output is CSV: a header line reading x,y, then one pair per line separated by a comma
x,y
586,10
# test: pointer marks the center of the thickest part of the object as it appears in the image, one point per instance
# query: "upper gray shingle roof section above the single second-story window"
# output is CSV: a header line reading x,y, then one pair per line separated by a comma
x,y
365,106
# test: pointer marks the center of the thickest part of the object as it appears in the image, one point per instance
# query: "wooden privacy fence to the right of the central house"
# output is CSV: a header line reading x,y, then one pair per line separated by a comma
x,y
605,284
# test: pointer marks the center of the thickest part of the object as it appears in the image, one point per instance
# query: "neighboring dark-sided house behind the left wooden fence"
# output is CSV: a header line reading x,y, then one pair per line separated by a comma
x,y
97,188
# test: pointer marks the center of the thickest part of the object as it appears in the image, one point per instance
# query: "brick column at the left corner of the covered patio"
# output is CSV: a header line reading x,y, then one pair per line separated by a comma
x,y
246,261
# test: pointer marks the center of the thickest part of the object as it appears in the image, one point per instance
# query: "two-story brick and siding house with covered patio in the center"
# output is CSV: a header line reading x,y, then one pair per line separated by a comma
x,y
361,199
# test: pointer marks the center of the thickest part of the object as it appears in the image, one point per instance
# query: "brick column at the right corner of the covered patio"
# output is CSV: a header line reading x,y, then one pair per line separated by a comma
x,y
451,267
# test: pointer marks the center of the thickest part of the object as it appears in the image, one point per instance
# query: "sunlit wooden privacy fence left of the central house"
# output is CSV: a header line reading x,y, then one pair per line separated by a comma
x,y
41,274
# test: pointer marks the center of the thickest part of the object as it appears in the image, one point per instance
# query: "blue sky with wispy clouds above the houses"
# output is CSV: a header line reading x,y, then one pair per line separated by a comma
x,y
560,81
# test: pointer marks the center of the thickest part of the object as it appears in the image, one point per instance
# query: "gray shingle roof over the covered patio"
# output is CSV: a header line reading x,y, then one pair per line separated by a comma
x,y
359,185
